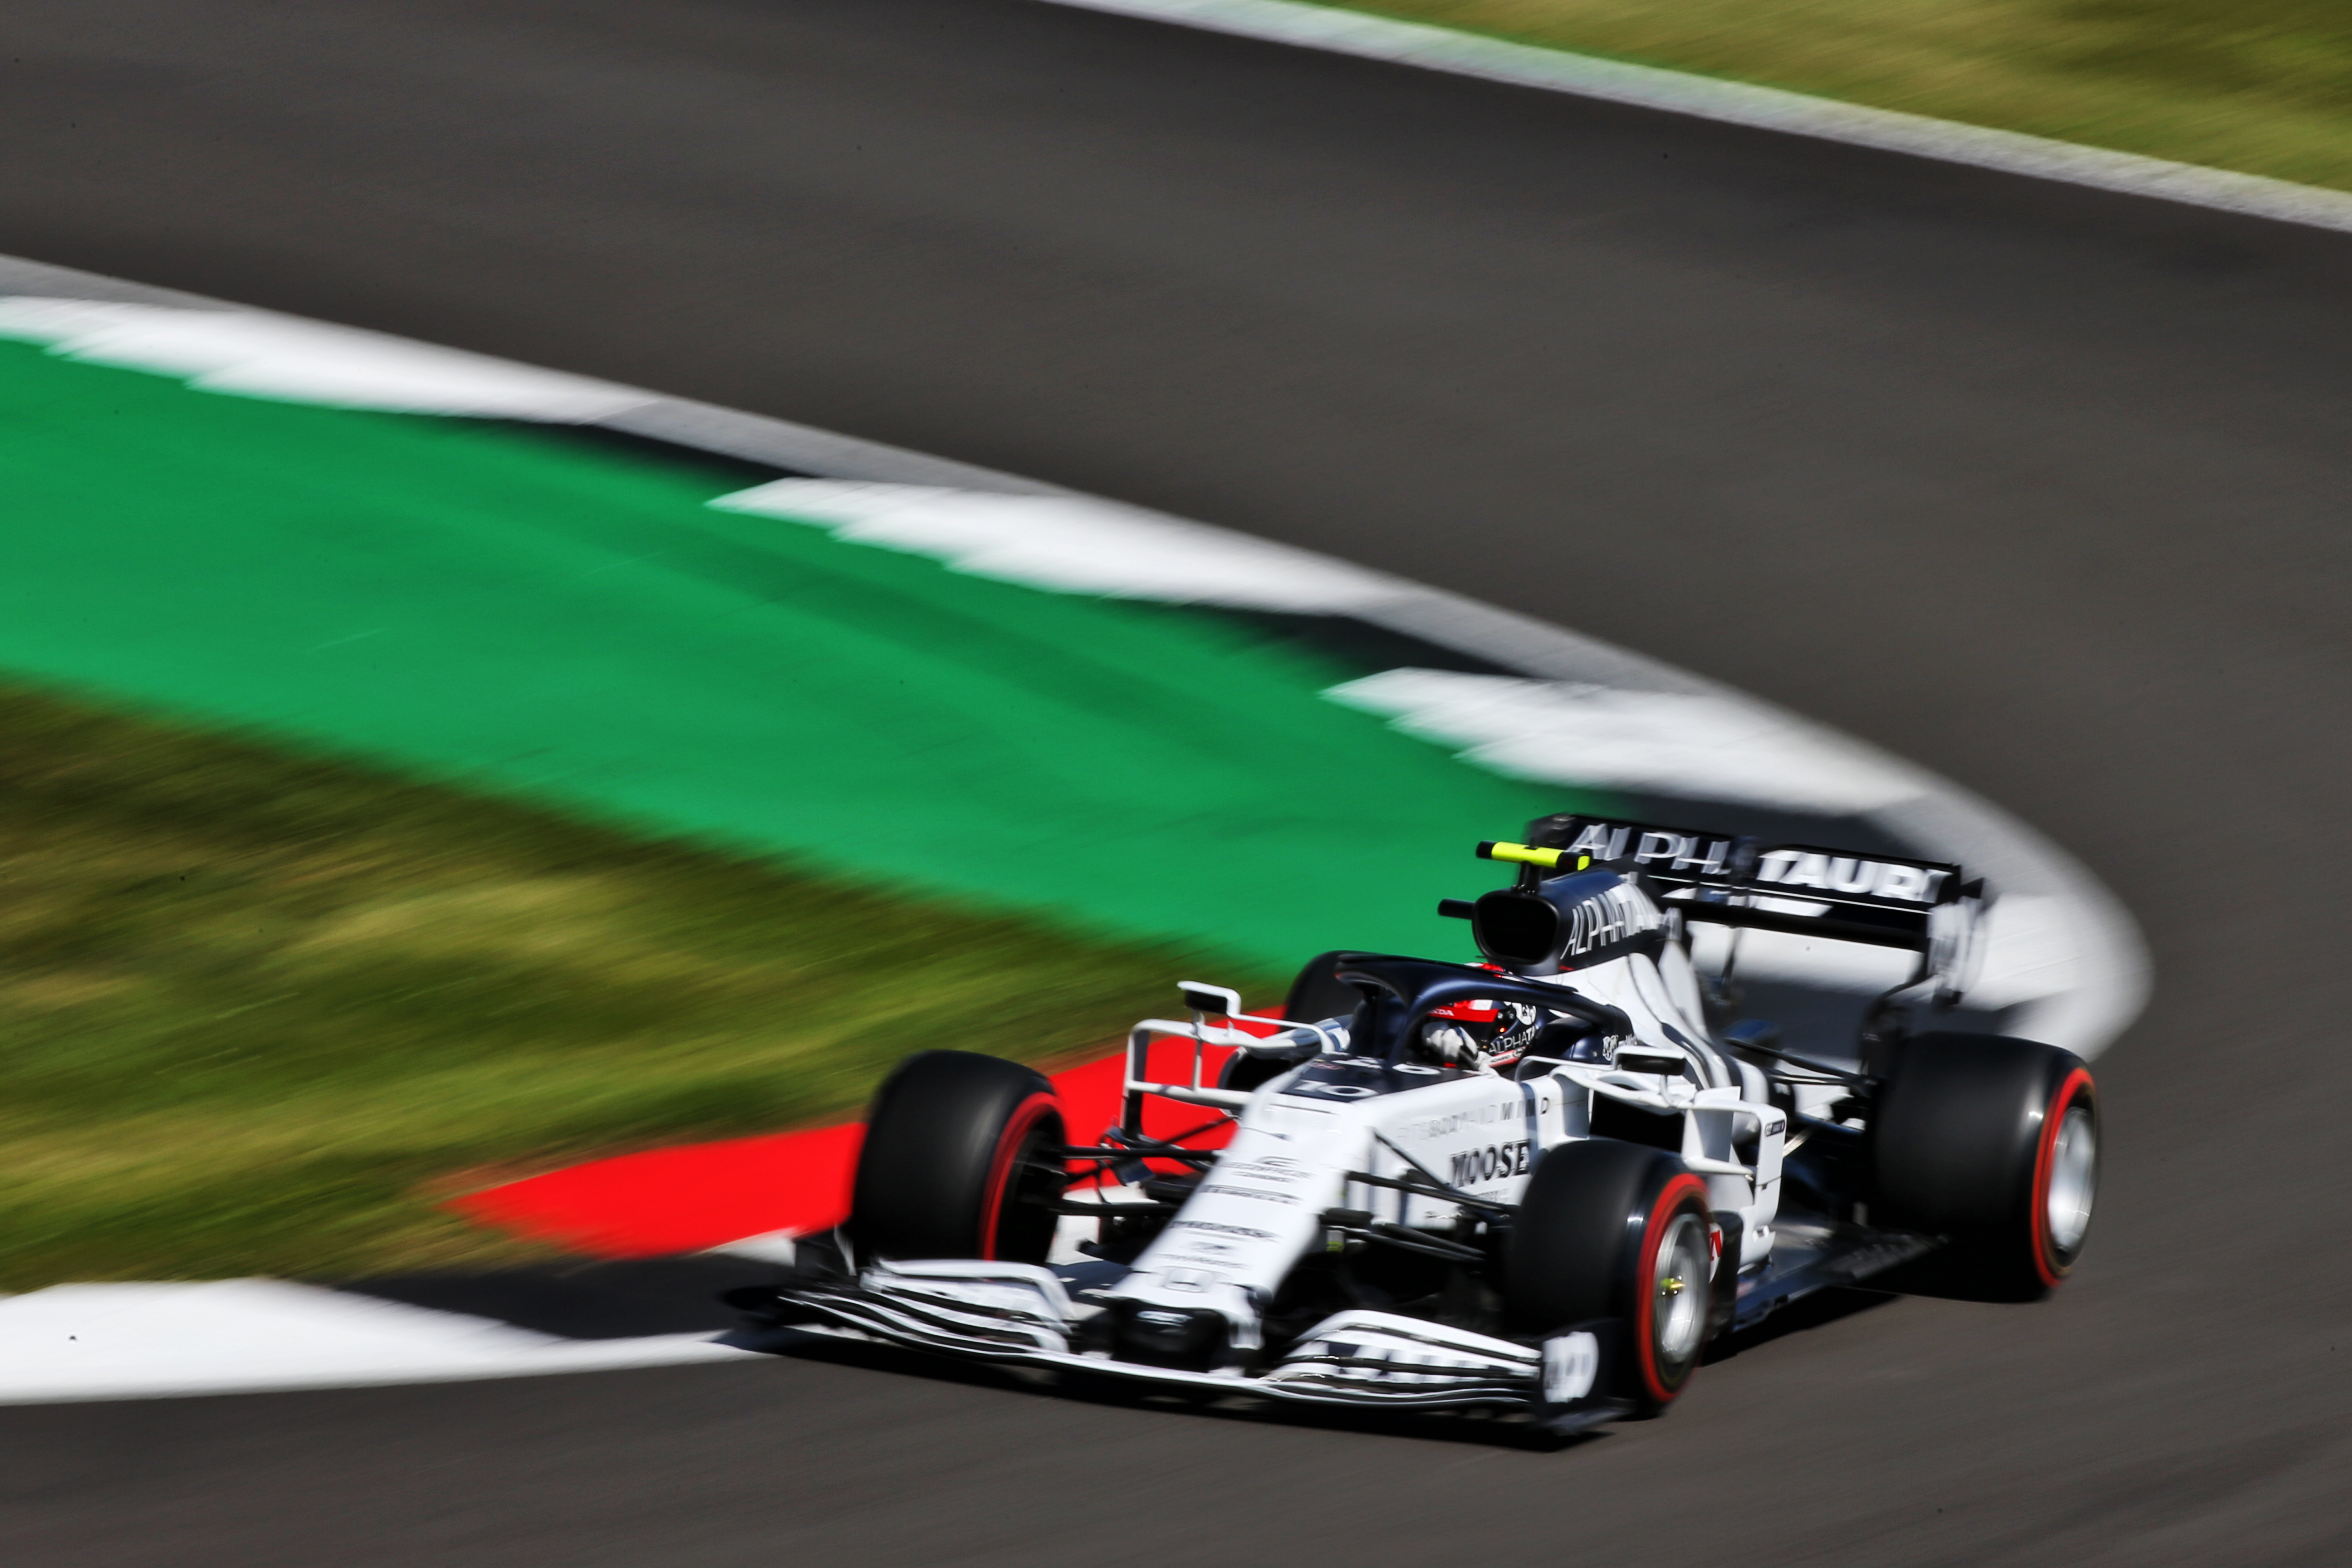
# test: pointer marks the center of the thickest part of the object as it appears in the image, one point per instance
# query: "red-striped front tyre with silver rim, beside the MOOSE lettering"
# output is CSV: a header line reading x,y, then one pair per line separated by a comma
x,y
1617,1231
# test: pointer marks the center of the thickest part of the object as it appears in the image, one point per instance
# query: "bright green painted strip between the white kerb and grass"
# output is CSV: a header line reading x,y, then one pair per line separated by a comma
x,y
568,624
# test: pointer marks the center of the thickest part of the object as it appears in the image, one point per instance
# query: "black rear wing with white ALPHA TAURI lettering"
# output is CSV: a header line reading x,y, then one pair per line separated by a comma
x,y
1838,894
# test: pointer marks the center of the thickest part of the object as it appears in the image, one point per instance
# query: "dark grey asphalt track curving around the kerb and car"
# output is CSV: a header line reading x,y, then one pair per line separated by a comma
x,y
2040,488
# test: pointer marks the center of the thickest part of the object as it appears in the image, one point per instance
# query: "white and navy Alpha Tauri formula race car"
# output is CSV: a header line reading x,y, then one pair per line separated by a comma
x,y
1537,1184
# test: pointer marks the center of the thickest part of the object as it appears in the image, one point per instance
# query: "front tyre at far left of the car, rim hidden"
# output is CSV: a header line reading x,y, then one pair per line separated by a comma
x,y
961,1155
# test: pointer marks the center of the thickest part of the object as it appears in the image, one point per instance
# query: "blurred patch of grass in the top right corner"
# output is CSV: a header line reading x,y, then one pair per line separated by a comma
x,y
2259,86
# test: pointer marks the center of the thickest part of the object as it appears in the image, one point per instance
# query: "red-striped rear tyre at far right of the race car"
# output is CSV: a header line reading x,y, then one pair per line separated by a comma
x,y
1991,1144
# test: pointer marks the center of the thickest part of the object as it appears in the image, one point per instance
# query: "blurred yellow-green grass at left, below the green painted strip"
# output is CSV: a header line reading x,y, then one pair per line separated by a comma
x,y
260,1012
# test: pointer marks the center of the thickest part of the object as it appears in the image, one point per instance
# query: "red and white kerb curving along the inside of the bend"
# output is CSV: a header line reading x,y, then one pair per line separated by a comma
x,y
1546,706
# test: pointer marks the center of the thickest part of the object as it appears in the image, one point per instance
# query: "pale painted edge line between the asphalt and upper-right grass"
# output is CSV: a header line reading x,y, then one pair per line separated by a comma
x,y
1410,43
